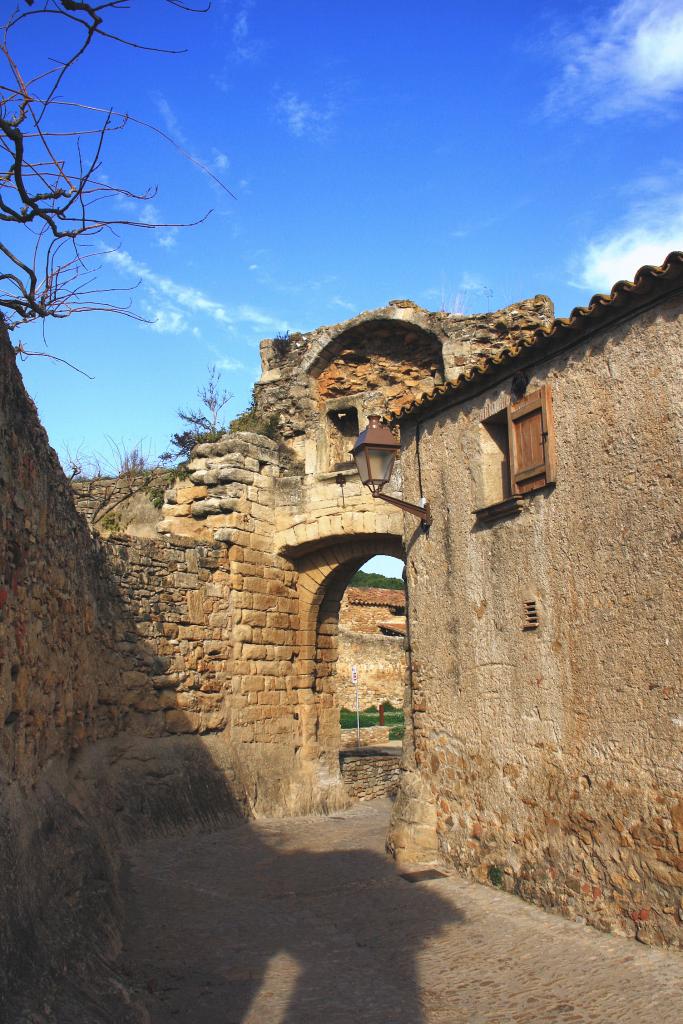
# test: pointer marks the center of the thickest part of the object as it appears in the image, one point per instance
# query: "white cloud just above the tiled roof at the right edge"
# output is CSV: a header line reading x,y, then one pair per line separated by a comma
x,y
648,235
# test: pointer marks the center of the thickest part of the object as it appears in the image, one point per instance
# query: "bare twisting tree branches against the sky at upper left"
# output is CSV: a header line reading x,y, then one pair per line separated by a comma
x,y
52,181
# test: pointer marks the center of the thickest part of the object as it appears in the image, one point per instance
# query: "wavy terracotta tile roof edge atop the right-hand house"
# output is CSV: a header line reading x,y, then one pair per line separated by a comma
x,y
601,310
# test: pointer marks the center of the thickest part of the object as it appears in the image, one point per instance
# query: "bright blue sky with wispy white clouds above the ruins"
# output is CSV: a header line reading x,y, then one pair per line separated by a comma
x,y
459,155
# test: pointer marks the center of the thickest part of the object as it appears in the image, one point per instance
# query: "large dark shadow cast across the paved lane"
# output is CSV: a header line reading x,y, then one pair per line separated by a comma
x,y
262,924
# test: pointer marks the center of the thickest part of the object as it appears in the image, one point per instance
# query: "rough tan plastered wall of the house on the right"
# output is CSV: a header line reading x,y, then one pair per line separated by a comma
x,y
550,757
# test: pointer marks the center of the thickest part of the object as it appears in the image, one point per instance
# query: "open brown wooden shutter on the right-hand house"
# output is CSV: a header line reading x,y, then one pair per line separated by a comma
x,y
532,442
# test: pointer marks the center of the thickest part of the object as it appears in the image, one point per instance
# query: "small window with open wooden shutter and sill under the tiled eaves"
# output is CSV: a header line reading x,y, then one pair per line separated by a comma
x,y
518,454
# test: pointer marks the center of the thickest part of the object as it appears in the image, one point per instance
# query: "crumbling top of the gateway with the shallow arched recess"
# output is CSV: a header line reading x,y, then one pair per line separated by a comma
x,y
372,364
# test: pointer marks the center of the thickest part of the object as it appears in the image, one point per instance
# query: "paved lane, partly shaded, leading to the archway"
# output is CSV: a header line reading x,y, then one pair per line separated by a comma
x,y
305,921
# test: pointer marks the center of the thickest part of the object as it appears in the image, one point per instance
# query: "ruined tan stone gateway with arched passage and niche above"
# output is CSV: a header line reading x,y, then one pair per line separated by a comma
x,y
291,524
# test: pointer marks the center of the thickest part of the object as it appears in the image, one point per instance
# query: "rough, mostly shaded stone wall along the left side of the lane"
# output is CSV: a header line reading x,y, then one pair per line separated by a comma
x,y
87,759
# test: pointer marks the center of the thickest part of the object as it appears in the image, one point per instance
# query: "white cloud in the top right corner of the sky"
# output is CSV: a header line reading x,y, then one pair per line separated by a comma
x,y
628,59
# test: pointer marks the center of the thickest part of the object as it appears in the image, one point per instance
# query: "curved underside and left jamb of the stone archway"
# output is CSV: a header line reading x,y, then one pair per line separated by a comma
x,y
323,577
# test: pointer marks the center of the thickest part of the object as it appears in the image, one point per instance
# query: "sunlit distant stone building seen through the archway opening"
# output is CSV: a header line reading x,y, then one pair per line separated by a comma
x,y
372,637
